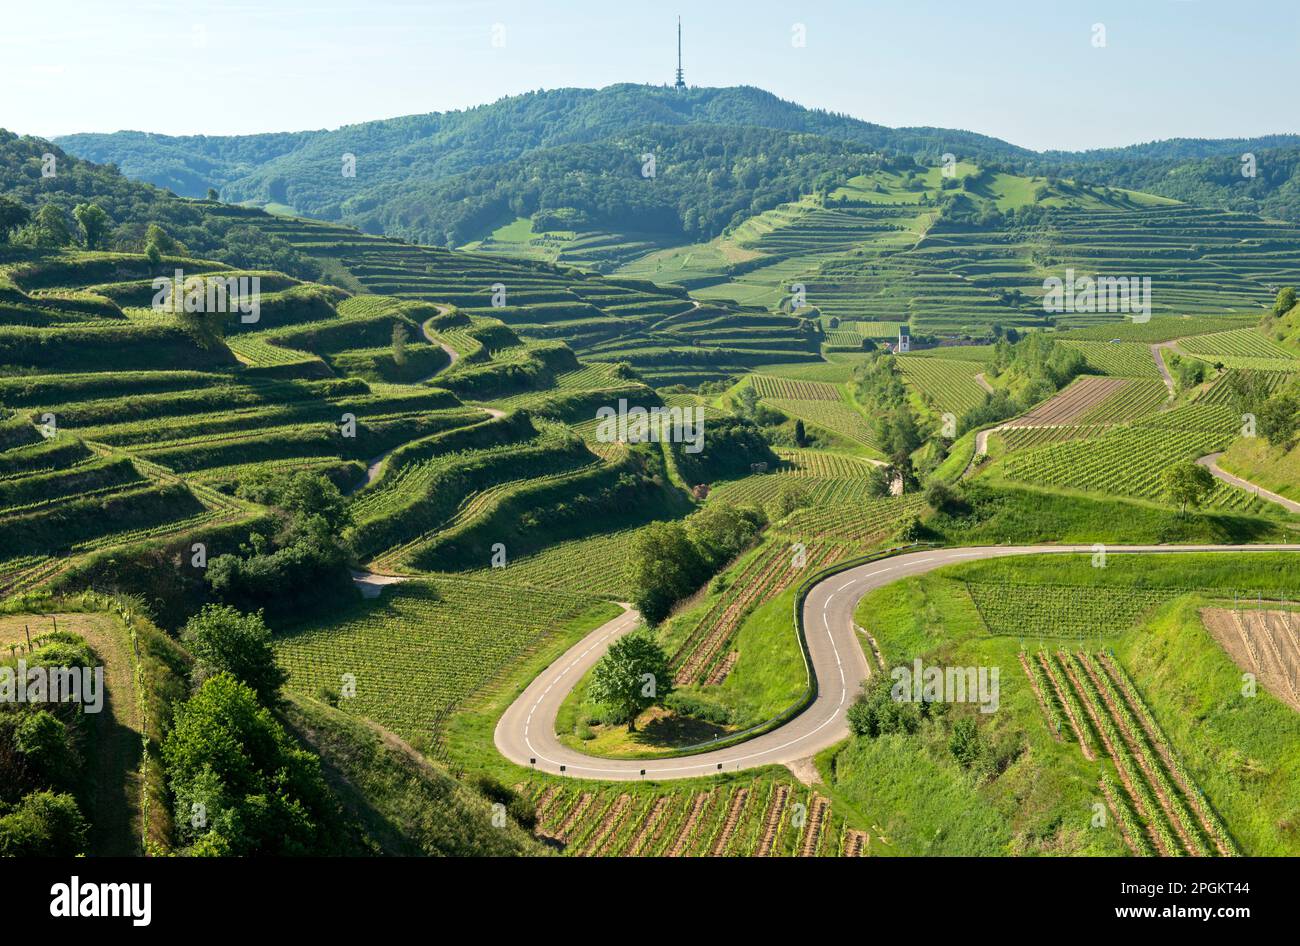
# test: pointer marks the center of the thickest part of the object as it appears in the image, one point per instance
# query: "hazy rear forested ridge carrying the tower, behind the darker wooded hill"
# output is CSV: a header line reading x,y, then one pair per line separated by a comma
x,y
445,144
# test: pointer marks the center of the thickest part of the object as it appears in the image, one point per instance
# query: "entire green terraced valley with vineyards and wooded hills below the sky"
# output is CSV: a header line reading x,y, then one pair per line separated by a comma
x,y
384,528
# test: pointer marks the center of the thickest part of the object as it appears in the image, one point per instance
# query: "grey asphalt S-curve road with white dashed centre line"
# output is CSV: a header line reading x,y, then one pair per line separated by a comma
x,y
526,734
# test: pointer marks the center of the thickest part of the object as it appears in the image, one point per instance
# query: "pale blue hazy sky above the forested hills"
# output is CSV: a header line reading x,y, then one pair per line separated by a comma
x,y
1069,75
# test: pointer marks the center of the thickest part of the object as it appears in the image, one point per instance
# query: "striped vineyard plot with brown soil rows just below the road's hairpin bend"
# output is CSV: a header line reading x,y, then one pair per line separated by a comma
x,y
736,819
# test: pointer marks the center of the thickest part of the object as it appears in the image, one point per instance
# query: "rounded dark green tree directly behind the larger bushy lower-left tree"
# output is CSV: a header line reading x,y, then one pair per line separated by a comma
x,y
226,641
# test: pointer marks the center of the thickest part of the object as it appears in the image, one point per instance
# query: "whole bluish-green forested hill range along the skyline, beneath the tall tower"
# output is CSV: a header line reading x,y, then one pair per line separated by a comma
x,y
723,155
